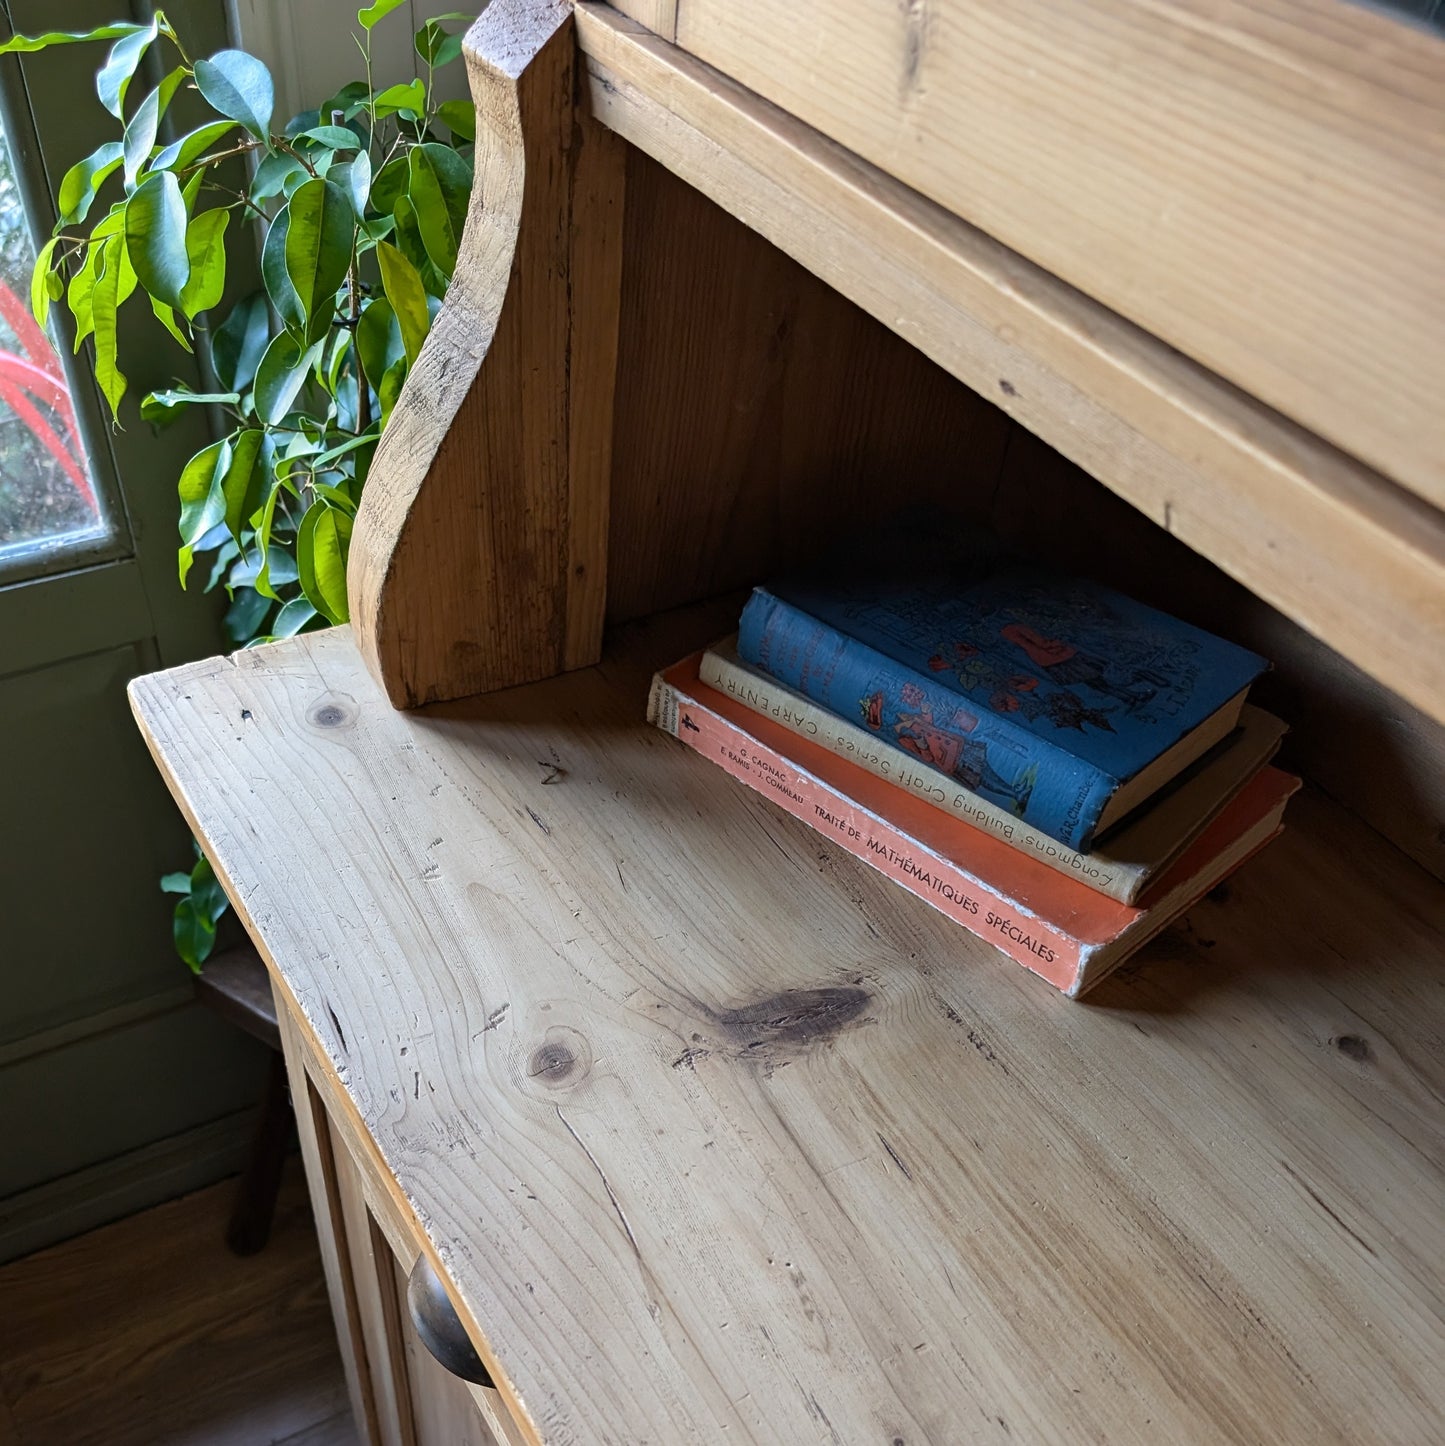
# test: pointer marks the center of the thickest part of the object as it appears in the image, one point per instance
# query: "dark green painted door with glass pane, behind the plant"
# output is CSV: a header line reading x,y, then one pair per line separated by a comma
x,y
116,1090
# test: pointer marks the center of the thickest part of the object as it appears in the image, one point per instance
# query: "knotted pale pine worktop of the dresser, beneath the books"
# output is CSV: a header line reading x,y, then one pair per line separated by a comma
x,y
679,1195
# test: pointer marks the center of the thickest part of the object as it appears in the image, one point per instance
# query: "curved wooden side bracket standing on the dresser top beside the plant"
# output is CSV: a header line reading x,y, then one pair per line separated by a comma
x,y
479,557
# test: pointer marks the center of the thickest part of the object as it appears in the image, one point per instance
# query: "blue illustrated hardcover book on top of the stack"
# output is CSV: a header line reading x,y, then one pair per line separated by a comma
x,y
1051,696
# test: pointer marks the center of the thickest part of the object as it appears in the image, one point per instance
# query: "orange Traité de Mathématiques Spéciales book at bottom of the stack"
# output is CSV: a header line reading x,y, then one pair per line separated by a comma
x,y
1055,926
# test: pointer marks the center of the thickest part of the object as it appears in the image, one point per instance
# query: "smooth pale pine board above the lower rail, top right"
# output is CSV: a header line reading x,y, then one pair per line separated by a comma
x,y
1259,183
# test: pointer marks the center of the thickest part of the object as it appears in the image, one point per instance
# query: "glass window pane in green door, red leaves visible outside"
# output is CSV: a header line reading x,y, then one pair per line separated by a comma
x,y
48,495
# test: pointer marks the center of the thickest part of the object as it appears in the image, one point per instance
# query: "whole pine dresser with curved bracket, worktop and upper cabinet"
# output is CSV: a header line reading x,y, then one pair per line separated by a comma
x,y
695,1129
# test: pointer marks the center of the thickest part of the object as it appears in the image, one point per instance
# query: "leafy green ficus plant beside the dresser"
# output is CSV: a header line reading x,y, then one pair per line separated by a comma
x,y
359,206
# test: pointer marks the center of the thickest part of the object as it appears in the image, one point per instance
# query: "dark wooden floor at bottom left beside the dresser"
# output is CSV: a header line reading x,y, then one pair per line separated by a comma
x,y
153,1332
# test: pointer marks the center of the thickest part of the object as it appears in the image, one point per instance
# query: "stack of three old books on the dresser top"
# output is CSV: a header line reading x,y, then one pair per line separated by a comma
x,y
1057,767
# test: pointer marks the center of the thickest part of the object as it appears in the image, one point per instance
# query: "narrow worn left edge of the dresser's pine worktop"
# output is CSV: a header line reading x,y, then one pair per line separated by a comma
x,y
290,1010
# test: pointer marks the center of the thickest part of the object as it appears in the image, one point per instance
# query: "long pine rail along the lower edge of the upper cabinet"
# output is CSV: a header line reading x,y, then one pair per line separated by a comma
x,y
1355,559
